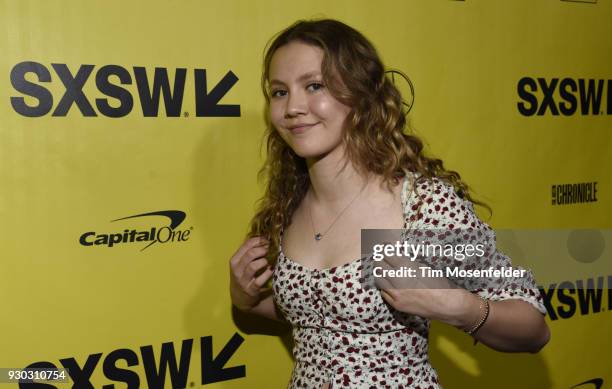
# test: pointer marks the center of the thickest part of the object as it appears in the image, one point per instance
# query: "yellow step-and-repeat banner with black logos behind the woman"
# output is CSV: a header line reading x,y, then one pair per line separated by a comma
x,y
130,141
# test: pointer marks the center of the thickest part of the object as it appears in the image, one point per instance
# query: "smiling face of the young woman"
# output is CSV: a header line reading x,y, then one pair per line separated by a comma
x,y
302,110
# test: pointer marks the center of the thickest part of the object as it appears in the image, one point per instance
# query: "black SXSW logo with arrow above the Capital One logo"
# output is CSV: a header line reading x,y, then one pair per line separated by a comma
x,y
154,87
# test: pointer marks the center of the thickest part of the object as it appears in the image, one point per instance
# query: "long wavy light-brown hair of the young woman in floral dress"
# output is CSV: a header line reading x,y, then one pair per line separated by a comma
x,y
375,137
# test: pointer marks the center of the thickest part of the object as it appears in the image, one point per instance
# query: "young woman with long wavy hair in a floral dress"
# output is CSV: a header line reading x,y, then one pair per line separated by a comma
x,y
339,161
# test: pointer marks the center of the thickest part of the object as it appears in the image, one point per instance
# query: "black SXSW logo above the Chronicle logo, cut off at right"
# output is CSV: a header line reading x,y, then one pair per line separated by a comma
x,y
566,96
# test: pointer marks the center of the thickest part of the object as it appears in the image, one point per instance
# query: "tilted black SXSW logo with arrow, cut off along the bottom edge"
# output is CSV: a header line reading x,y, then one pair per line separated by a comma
x,y
169,362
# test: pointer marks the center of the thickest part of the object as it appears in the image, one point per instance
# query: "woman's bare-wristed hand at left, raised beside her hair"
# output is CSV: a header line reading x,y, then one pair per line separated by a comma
x,y
246,278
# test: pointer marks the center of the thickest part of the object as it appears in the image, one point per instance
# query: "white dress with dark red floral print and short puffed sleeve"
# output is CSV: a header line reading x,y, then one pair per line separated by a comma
x,y
347,335
